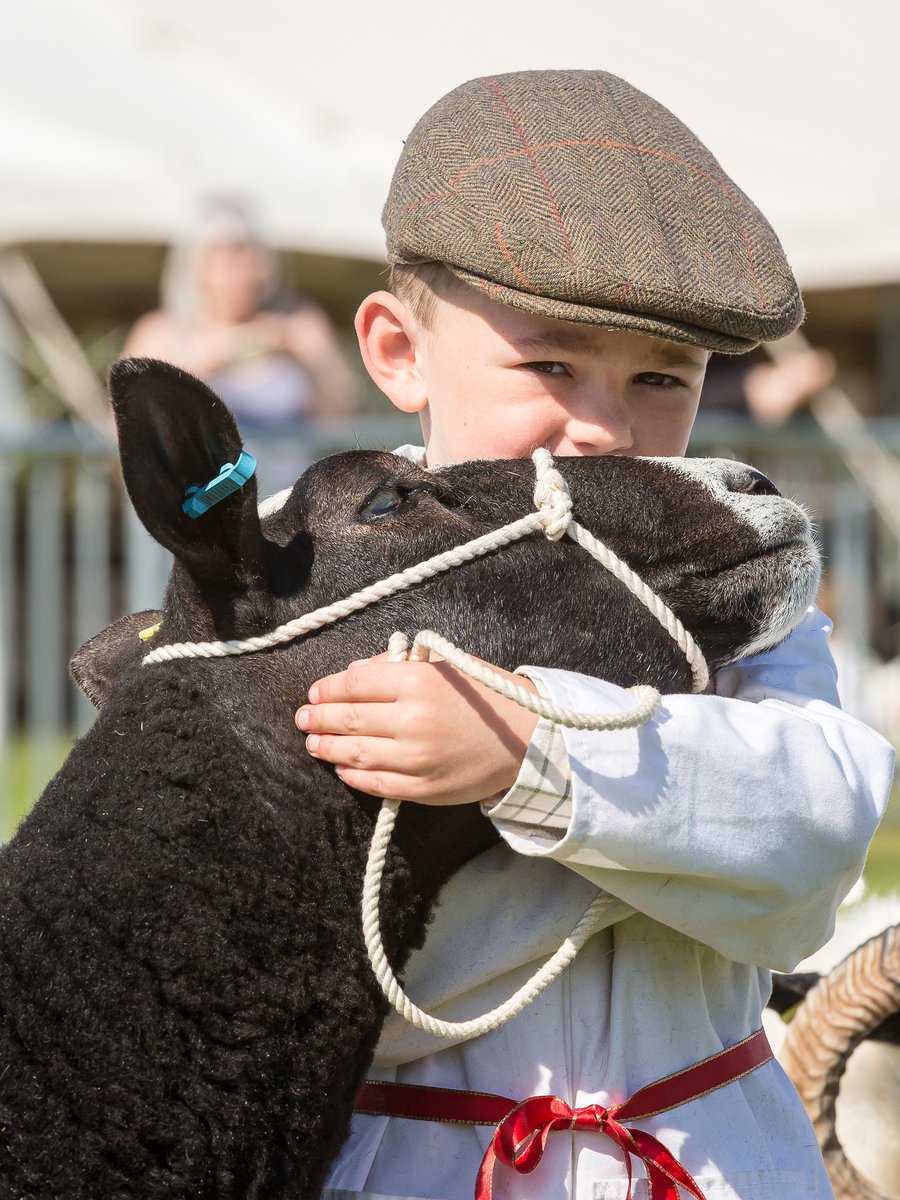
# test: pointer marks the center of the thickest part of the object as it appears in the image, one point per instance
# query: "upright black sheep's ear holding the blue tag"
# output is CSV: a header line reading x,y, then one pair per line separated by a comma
x,y
175,434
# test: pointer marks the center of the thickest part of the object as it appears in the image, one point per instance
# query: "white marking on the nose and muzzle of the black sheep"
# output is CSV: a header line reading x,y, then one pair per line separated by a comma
x,y
779,525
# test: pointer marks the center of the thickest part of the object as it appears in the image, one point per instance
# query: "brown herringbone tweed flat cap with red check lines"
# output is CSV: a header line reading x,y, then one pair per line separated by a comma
x,y
573,195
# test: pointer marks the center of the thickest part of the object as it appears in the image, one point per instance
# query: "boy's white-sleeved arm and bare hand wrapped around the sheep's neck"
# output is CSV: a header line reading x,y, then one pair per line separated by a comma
x,y
740,819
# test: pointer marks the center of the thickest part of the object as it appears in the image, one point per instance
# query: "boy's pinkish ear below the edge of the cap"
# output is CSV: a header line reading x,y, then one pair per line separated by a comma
x,y
389,341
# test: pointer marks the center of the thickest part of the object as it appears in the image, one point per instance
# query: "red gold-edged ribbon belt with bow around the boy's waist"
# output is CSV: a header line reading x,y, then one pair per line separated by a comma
x,y
523,1129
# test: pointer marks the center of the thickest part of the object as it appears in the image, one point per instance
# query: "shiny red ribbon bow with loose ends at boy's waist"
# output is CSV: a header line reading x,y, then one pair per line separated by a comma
x,y
521,1138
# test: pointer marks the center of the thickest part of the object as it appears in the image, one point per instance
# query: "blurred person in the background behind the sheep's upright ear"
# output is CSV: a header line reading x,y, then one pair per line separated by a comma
x,y
273,358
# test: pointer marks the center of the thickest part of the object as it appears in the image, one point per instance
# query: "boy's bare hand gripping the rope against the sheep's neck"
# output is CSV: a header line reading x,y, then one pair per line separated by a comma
x,y
417,731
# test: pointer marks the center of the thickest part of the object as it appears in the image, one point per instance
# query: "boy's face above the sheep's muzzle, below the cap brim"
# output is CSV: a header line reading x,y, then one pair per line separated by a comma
x,y
500,382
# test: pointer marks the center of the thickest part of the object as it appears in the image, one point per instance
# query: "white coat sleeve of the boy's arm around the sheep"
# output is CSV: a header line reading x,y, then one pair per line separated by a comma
x,y
741,819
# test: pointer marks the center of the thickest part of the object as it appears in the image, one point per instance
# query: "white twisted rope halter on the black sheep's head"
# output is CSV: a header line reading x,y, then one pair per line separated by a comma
x,y
554,517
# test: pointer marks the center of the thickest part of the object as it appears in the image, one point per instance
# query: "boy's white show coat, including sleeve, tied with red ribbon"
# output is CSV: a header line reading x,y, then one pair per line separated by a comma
x,y
735,824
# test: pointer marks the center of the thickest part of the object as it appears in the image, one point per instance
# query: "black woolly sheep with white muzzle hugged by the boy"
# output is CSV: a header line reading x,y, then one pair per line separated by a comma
x,y
188,1007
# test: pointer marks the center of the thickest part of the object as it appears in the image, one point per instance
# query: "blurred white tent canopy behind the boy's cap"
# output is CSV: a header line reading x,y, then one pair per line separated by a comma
x,y
118,116
